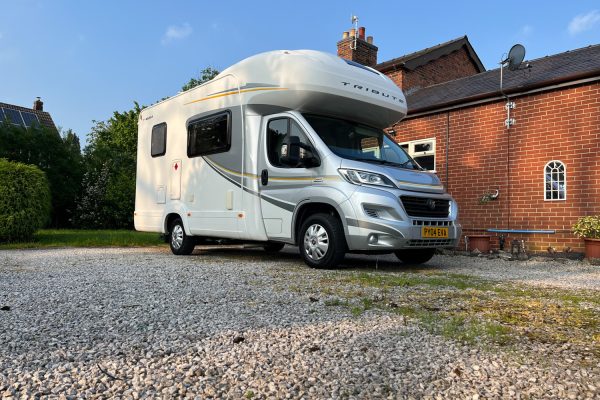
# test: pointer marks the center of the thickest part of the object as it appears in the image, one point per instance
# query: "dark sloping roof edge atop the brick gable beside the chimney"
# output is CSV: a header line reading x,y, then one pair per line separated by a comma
x,y
422,57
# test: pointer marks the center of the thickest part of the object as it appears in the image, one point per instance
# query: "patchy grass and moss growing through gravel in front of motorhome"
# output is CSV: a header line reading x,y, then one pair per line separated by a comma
x,y
475,310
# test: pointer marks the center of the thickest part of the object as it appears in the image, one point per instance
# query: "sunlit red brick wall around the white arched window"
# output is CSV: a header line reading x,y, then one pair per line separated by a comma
x,y
483,156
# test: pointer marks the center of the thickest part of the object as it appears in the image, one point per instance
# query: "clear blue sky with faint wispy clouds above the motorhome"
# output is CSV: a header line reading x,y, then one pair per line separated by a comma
x,y
87,59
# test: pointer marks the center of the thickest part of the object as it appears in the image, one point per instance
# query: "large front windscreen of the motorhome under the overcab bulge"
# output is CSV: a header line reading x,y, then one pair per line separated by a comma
x,y
360,142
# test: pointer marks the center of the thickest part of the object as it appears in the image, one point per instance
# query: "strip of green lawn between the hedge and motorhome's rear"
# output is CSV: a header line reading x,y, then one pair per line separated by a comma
x,y
87,238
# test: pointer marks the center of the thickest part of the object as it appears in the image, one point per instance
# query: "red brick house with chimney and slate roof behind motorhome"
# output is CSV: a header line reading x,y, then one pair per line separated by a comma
x,y
544,167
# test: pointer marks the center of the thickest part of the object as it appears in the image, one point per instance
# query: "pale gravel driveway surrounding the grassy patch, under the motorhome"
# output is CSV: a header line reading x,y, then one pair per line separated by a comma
x,y
138,323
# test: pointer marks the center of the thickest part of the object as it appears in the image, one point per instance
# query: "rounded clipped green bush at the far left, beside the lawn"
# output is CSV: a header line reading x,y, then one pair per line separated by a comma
x,y
24,201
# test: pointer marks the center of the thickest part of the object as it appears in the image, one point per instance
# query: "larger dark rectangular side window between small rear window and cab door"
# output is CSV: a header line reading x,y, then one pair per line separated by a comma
x,y
209,135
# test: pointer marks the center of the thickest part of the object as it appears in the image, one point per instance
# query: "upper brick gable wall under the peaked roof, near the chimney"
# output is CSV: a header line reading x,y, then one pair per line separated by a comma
x,y
447,68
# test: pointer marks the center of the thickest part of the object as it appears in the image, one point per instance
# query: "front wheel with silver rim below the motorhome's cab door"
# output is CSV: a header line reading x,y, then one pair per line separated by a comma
x,y
322,241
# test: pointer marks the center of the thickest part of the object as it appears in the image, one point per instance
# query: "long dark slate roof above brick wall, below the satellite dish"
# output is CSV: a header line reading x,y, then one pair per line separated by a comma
x,y
560,68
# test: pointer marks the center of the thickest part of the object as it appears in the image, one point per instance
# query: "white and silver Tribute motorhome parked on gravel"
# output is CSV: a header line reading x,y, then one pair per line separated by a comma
x,y
288,147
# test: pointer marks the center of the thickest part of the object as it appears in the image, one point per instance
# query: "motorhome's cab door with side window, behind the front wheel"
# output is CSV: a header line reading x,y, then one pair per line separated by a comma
x,y
282,176
